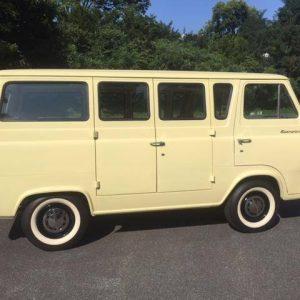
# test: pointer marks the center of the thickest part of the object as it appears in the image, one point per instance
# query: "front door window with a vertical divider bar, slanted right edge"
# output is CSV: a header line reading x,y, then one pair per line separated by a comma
x,y
268,101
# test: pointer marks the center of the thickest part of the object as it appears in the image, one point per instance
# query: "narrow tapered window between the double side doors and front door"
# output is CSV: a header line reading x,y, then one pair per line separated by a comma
x,y
222,99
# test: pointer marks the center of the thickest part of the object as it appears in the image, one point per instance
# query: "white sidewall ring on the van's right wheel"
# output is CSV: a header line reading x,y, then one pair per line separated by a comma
x,y
268,216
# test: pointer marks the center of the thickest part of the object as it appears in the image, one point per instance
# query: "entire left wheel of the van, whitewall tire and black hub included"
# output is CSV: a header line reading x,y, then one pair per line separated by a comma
x,y
55,223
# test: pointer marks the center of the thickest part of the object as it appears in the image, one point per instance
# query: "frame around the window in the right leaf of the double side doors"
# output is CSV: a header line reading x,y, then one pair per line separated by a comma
x,y
182,83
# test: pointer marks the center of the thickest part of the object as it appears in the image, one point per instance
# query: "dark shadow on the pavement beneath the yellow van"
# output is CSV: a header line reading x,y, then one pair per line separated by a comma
x,y
101,226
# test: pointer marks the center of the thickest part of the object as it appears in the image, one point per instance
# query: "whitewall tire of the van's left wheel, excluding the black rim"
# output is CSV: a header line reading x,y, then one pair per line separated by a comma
x,y
82,211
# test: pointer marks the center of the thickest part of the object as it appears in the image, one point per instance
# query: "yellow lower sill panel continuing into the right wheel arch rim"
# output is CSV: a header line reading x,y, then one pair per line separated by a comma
x,y
187,199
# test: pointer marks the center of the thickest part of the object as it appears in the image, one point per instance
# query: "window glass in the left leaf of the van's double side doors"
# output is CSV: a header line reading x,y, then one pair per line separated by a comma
x,y
123,101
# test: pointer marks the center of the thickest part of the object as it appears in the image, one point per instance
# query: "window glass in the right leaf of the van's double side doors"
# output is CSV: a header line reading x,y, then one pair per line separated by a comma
x,y
181,101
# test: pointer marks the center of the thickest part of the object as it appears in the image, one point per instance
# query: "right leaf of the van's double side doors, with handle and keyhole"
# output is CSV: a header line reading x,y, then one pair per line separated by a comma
x,y
184,144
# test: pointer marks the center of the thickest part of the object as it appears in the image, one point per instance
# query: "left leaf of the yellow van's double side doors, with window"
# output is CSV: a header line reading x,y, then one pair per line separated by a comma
x,y
126,162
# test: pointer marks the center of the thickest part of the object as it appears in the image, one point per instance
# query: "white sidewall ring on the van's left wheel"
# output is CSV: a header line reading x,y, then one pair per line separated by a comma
x,y
66,238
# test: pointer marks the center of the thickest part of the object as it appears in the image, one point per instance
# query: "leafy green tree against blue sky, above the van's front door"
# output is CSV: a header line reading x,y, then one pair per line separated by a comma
x,y
236,38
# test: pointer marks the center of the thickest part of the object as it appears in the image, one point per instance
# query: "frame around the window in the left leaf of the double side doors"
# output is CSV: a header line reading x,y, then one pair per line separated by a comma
x,y
120,119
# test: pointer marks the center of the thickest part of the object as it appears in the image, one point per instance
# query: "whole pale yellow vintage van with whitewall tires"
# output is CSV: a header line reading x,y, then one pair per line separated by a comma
x,y
80,143
